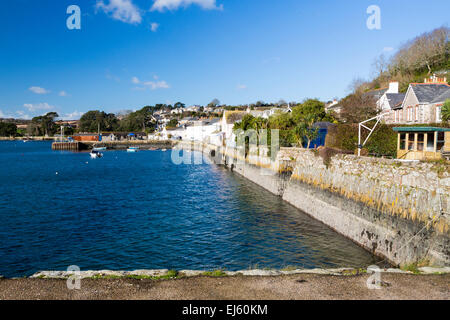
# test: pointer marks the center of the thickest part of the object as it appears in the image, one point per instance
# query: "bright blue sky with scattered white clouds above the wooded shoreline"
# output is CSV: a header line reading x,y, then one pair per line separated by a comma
x,y
132,53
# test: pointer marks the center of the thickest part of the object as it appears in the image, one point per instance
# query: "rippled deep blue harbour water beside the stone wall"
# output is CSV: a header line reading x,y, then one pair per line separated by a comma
x,y
140,211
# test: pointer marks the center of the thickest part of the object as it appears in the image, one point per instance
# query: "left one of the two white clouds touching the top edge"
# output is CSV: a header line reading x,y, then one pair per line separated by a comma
x,y
122,10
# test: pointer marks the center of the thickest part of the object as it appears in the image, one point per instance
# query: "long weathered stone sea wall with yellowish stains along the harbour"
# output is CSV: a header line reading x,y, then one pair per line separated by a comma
x,y
396,210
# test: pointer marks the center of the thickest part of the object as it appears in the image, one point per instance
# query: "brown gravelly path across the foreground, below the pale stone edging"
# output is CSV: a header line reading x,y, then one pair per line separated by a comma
x,y
293,287
